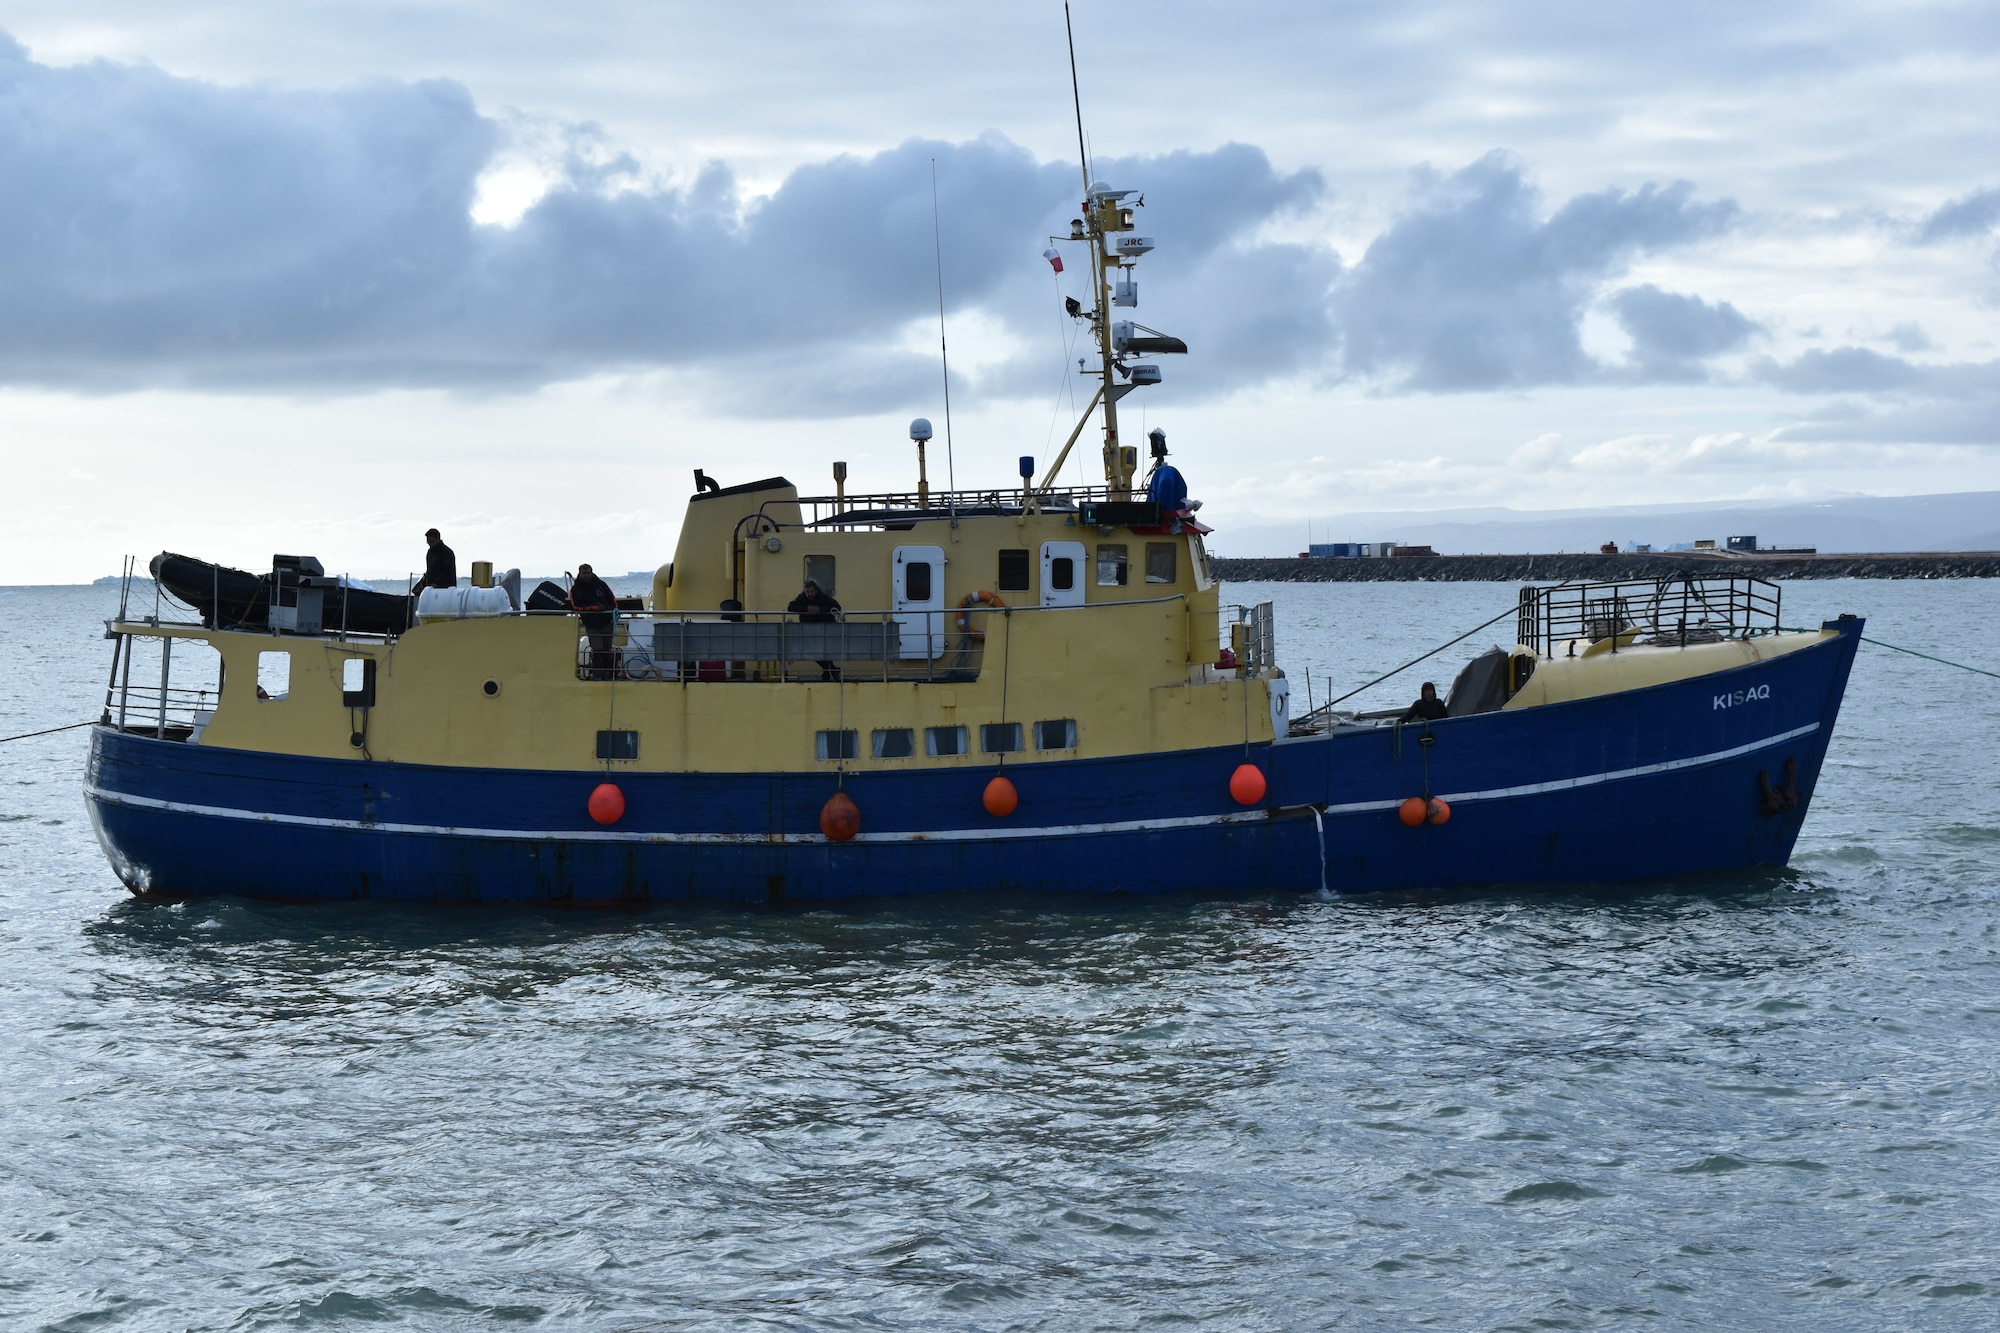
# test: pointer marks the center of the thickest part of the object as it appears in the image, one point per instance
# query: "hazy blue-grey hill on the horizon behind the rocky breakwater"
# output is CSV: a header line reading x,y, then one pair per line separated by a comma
x,y
1965,521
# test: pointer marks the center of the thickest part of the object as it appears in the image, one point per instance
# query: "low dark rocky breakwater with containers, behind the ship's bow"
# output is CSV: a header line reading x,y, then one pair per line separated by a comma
x,y
1605,567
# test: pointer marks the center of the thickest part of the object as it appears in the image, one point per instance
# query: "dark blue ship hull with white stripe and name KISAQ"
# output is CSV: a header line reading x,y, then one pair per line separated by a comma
x,y
1649,784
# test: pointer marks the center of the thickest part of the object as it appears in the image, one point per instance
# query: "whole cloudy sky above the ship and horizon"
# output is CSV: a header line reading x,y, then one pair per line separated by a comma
x,y
315,277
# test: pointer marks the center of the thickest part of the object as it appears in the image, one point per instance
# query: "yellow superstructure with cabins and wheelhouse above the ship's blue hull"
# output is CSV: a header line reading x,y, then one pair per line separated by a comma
x,y
1085,639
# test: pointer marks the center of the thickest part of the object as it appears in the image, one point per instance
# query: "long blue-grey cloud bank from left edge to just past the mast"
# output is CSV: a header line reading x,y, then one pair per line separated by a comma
x,y
165,231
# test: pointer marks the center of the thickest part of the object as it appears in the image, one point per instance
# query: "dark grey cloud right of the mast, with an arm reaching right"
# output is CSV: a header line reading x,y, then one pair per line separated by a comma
x,y
1475,289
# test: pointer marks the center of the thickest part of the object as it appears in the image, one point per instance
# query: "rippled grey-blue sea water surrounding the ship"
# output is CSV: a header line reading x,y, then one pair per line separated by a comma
x,y
1751,1102
